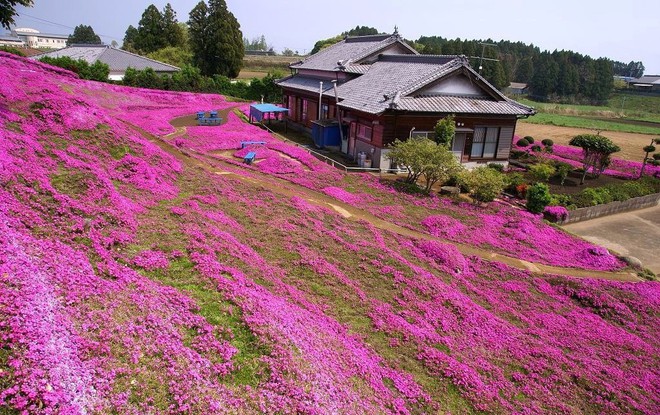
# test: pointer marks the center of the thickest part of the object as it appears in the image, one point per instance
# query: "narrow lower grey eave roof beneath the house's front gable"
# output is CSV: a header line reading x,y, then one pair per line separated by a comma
x,y
462,105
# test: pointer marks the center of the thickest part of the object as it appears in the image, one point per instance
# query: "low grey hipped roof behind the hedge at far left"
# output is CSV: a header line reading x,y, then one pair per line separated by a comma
x,y
116,59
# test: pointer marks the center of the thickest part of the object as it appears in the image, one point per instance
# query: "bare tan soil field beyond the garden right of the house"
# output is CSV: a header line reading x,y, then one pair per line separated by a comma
x,y
631,144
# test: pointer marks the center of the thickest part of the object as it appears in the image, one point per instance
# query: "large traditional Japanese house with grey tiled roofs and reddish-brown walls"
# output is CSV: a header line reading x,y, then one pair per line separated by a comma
x,y
385,90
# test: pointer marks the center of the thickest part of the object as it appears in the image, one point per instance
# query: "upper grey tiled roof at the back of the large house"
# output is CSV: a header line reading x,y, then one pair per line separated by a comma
x,y
351,49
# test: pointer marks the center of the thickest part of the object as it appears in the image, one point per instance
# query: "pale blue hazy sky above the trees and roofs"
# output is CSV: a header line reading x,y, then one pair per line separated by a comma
x,y
622,31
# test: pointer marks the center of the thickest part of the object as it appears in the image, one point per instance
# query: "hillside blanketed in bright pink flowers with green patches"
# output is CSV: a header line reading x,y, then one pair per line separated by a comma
x,y
145,269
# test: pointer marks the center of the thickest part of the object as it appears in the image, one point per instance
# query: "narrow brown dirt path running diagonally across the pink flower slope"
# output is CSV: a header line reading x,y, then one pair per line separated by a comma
x,y
283,187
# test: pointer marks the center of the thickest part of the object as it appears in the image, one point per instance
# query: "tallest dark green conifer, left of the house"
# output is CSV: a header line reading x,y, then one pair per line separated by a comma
x,y
216,39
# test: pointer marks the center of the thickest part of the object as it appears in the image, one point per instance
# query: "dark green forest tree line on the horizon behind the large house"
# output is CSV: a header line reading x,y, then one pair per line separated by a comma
x,y
551,76
